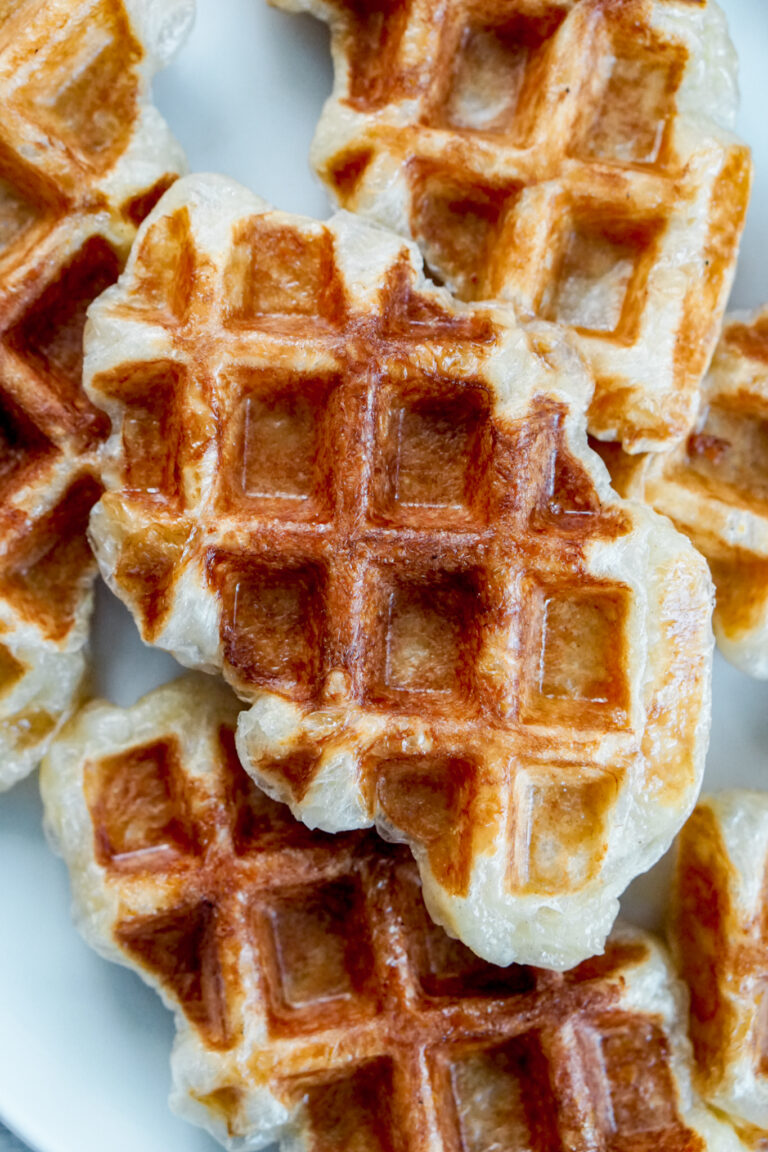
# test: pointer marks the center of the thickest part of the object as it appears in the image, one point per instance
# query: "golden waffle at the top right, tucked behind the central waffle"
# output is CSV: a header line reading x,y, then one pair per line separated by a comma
x,y
573,156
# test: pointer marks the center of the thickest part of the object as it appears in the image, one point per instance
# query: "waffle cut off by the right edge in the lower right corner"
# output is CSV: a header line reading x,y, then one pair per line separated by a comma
x,y
719,931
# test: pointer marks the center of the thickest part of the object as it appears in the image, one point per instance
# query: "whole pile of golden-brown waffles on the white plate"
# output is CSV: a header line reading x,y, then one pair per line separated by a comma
x,y
364,497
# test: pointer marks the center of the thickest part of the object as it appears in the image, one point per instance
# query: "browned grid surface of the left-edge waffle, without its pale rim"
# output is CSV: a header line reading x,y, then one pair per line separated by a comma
x,y
63,242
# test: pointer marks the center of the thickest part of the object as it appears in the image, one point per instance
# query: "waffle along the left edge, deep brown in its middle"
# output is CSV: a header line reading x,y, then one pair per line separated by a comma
x,y
83,158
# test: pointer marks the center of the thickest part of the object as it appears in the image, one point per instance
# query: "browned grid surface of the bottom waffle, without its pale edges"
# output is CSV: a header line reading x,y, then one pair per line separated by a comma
x,y
429,1025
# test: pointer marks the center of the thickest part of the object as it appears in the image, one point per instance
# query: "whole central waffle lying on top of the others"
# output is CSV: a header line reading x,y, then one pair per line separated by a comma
x,y
375,510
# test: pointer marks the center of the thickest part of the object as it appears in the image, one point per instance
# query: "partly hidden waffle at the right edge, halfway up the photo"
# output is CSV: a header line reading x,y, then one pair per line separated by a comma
x,y
716,488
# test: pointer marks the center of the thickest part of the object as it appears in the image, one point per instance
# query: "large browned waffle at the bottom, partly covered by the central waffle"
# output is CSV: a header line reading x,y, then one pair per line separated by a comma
x,y
316,1003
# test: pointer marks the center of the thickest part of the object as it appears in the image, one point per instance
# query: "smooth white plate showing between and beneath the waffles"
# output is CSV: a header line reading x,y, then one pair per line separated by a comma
x,y
83,1045
